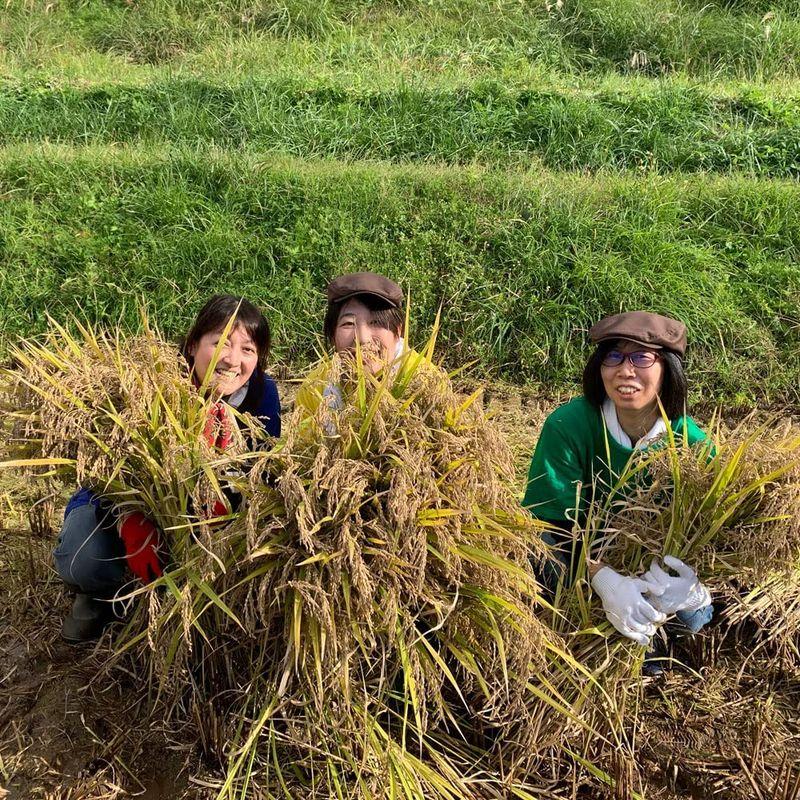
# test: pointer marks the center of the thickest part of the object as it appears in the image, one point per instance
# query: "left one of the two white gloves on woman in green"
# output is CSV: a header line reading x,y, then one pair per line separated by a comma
x,y
626,609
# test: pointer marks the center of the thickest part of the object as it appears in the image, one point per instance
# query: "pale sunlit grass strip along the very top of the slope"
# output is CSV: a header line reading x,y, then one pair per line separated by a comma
x,y
751,39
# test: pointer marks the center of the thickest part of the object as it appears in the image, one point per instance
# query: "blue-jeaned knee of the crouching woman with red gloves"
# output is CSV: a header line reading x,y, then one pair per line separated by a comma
x,y
89,553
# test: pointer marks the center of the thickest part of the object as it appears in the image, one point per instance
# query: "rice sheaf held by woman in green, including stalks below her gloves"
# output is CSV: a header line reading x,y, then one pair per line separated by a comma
x,y
730,509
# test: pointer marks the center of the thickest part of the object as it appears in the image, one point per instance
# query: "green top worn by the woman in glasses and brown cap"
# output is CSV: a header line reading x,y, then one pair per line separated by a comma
x,y
574,452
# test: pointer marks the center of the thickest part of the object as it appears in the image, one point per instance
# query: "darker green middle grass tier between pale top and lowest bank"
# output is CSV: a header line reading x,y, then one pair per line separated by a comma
x,y
661,128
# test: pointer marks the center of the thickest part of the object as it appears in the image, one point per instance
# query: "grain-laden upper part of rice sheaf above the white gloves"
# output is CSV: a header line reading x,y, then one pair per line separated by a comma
x,y
733,513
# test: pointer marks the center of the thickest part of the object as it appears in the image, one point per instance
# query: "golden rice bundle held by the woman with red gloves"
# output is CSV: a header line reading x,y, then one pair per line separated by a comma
x,y
120,416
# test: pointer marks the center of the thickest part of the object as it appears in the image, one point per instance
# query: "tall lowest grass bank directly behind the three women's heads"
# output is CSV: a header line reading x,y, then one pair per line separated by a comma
x,y
522,264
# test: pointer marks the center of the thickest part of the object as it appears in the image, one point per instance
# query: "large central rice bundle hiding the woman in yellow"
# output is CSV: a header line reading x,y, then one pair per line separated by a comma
x,y
385,599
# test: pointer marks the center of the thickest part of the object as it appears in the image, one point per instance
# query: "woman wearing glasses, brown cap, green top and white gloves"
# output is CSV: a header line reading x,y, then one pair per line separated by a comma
x,y
586,444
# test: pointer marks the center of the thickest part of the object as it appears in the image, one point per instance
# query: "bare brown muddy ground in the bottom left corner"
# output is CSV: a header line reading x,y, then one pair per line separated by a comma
x,y
64,734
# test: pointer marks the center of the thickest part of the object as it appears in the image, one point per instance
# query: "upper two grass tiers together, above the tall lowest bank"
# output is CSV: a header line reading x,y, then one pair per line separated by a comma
x,y
453,81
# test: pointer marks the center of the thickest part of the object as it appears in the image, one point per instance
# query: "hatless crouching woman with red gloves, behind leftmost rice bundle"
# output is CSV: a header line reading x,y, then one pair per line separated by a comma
x,y
96,544
